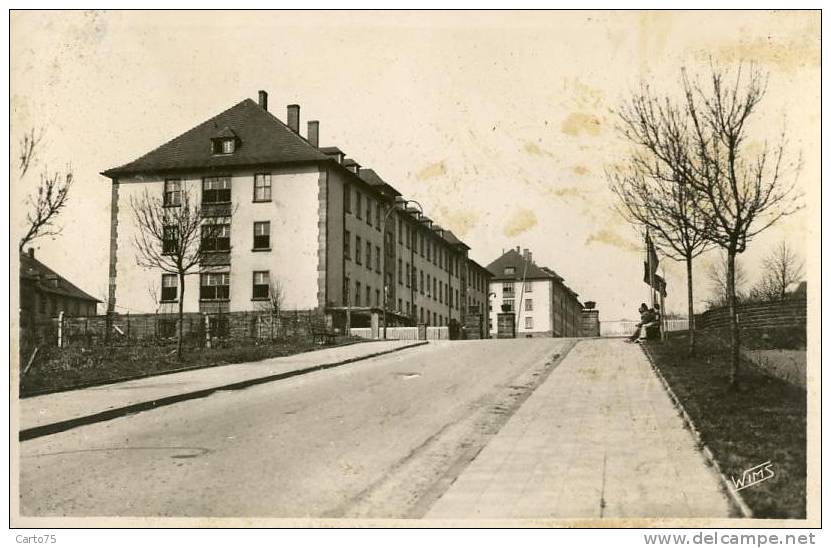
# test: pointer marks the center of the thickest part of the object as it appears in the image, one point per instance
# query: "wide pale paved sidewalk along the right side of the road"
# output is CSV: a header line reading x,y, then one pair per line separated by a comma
x,y
599,439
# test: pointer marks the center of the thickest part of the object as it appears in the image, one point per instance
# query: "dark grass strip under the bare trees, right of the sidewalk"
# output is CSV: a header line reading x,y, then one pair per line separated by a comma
x,y
764,421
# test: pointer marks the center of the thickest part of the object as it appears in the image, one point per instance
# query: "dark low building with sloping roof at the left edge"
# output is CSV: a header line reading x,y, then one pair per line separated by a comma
x,y
45,294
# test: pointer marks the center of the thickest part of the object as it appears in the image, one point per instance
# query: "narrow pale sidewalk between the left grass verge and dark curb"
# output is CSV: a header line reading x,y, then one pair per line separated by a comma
x,y
38,413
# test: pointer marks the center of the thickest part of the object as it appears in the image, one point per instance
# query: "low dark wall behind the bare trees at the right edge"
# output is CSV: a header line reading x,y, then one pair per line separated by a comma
x,y
789,313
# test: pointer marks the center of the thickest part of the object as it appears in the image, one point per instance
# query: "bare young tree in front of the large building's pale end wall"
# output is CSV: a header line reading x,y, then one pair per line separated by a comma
x,y
170,238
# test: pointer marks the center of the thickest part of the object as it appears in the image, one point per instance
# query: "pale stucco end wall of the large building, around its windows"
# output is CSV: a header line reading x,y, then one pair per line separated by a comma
x,y
293,213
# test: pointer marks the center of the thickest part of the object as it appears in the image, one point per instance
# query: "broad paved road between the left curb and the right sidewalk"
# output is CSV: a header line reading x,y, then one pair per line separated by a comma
x,y
379,438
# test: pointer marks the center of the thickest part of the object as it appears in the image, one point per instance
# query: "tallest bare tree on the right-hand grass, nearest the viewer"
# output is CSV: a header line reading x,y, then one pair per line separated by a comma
x,y
741,192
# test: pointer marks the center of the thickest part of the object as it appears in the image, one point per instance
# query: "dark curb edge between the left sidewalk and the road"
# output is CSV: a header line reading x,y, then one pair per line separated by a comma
x,y
109,414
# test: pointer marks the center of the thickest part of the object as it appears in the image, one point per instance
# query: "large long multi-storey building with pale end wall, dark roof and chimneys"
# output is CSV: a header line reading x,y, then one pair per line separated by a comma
x,y
288,214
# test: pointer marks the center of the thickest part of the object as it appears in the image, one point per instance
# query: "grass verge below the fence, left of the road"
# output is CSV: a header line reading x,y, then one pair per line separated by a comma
x,y
57,369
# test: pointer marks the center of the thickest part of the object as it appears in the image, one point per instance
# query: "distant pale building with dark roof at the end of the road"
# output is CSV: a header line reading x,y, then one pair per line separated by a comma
x,y
543,304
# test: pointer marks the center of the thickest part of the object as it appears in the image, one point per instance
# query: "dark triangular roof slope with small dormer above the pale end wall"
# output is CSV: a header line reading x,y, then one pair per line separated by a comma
x,y
262,139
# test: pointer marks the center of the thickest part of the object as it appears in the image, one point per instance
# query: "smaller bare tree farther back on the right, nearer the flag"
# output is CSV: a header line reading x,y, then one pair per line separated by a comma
x,y
650,195
